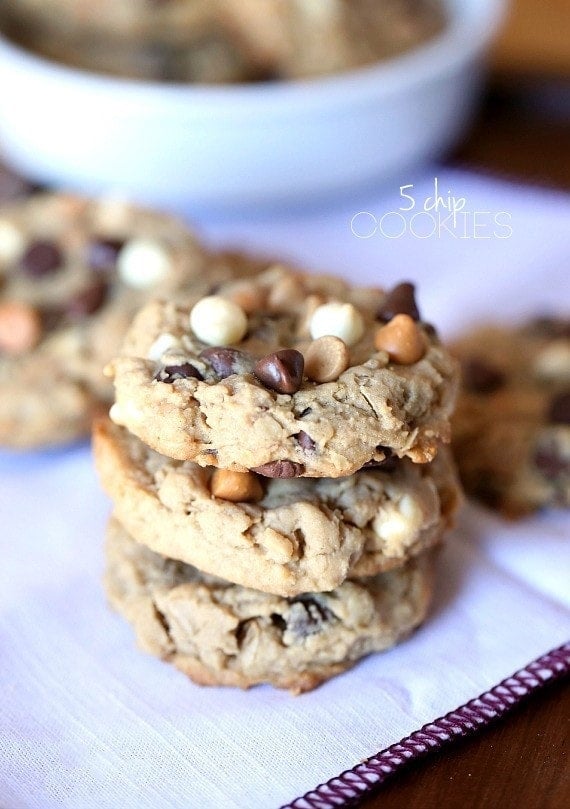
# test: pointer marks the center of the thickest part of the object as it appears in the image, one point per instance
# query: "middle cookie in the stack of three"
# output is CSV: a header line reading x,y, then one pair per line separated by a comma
x,y
280,536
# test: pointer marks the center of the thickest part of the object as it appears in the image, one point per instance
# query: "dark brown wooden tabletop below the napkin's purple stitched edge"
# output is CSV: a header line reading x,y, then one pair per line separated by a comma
x,y
518,763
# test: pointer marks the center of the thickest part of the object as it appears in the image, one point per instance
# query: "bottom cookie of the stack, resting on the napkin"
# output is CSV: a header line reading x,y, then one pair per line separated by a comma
x,y
221,634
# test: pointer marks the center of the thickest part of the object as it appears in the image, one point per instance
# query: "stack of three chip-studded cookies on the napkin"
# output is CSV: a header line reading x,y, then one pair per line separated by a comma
x,y
275,460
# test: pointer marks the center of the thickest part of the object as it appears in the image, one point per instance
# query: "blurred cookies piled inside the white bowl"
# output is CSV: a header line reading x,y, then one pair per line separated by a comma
x,y
221,40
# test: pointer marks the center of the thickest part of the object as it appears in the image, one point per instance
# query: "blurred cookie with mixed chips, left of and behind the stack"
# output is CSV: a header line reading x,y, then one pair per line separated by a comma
x,y
72,274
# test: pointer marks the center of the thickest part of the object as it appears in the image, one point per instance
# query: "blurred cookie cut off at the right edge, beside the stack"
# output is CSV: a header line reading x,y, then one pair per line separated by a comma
x,y
512,427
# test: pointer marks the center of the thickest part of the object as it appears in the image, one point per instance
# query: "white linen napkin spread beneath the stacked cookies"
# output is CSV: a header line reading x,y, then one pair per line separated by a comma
x,y
86,720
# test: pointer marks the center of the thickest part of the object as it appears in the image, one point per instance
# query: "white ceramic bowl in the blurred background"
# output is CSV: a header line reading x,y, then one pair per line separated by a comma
x,y
197,147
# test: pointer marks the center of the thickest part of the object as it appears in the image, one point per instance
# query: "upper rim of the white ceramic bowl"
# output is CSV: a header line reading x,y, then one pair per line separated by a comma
x,y
470,29
